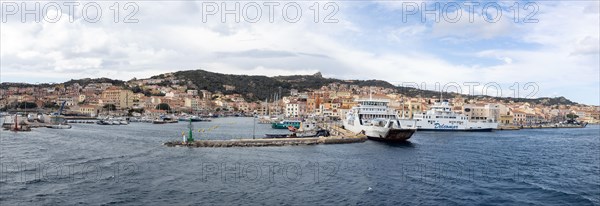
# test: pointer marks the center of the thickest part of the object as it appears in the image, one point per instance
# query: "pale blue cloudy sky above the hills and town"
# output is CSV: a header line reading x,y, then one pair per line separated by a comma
x,y
548,48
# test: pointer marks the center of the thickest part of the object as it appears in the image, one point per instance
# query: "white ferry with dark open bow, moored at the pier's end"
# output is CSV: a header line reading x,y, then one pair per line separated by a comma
x,y
376,121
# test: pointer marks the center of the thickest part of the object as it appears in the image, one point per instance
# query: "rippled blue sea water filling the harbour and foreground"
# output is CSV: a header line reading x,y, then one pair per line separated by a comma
x,y
127,165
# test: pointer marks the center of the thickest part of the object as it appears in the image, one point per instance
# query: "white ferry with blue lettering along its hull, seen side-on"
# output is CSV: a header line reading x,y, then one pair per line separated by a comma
x,y
440,117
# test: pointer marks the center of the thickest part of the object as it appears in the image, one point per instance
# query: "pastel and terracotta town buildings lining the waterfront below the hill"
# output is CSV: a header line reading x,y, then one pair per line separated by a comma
x,y
332,100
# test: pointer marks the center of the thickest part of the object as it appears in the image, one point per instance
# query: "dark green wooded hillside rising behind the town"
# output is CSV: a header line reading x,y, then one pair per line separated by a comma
x,y
259,88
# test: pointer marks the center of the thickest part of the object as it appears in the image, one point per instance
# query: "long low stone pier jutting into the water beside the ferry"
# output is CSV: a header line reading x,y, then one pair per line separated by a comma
x,y
343,137
